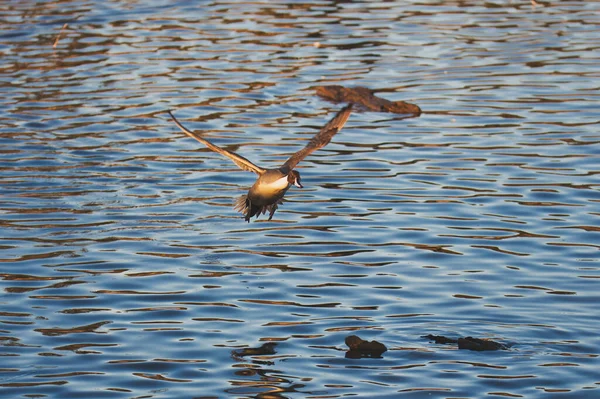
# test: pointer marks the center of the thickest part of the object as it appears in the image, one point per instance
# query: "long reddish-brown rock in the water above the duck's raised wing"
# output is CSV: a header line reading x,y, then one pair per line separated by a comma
x,y
365,97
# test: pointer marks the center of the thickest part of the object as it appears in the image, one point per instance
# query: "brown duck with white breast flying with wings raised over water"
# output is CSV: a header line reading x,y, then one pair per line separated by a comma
x,y
272,184
